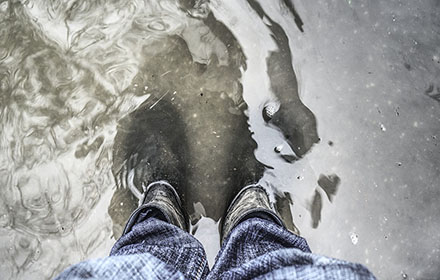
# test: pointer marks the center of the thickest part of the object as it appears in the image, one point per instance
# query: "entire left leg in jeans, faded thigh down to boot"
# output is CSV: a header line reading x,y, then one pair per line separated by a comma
x,y
153,245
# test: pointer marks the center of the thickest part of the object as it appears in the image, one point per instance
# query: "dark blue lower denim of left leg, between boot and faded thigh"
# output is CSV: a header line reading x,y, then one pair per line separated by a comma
x,y
170,244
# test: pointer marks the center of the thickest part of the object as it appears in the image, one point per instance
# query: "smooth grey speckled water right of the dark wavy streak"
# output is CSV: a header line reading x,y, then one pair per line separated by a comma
x,y
370,72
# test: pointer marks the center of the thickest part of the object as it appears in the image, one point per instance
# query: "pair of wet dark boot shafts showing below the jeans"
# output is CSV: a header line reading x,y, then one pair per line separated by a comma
x,y
251,201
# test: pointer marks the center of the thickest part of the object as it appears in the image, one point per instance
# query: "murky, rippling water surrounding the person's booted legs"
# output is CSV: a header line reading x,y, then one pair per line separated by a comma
x,y
332,105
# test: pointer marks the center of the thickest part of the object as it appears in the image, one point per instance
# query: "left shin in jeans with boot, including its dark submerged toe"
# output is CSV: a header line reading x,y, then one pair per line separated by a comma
x,y
151,146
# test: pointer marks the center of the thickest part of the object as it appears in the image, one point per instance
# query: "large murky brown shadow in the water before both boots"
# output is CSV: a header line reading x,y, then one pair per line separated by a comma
x,y
191,128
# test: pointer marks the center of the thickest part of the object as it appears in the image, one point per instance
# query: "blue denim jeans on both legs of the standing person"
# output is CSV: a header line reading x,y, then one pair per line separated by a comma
x,y
257,248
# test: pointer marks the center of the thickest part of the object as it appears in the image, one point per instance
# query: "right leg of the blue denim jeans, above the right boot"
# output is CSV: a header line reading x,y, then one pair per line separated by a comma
x,y
260,248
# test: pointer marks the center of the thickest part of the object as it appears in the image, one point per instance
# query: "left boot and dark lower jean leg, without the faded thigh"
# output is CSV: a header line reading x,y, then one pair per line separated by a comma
x,y
157,227
